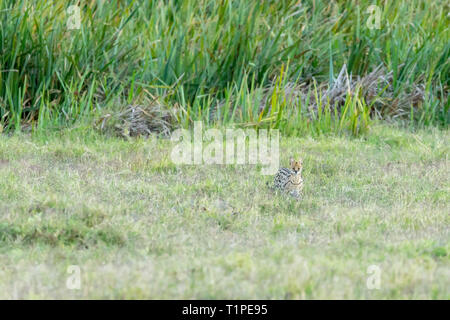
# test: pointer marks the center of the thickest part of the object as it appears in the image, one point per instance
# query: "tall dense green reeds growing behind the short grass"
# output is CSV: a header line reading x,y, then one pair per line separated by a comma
x,y
196,55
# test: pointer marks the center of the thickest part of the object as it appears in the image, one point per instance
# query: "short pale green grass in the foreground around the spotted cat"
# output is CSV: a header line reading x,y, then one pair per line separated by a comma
x,y
140,227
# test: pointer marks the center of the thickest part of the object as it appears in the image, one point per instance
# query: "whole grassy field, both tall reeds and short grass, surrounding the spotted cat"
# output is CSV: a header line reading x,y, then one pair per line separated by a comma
x,y
359,89
